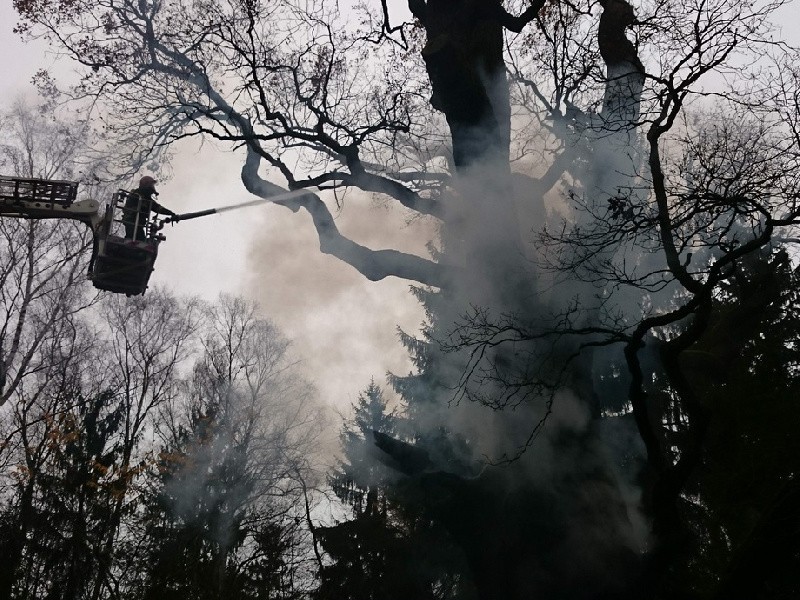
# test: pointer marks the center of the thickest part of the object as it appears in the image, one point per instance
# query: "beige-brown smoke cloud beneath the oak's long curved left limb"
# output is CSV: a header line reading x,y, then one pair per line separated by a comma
x,y
343,326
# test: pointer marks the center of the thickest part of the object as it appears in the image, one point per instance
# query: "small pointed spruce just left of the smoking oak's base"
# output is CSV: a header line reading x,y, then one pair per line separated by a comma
x,y
388,549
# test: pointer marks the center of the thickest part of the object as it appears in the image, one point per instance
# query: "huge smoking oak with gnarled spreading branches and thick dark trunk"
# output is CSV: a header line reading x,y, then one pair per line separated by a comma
x,y
660,214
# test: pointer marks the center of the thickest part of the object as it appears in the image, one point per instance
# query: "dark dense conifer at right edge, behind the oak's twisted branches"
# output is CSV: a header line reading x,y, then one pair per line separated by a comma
x,y
743,496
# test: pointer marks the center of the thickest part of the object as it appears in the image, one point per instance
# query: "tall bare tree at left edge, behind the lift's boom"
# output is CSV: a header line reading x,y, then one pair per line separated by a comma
x,y
43,338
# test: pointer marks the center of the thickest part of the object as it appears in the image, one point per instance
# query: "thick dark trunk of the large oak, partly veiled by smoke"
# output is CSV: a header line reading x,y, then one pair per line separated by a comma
x,y
518,533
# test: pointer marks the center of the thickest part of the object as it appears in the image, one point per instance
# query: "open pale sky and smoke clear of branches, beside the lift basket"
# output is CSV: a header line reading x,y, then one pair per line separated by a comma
x,y
343,327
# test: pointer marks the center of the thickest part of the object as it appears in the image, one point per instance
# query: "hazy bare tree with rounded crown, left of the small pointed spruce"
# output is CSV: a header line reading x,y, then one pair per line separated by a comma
x,y
225,514
